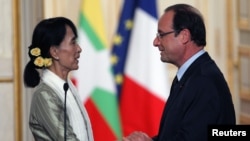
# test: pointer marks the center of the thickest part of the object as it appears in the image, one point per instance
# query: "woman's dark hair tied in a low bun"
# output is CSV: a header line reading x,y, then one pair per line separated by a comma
x,y
47,33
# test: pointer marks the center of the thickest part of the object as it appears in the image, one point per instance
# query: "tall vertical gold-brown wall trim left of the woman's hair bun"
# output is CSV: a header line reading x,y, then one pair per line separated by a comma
x,y
17,71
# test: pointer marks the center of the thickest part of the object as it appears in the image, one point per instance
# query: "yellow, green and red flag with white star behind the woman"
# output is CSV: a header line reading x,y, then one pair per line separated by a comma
x,y
94,78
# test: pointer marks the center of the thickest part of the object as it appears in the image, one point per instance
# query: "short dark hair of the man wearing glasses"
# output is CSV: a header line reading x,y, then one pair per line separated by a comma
x,y
187,17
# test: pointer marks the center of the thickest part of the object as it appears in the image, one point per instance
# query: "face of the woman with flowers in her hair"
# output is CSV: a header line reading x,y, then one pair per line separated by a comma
x,y
69,51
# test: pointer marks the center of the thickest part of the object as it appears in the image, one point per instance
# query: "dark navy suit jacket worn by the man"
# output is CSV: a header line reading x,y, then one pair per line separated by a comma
x,y
199,99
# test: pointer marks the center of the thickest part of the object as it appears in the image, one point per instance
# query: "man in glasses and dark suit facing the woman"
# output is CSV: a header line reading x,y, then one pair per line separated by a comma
x,y
199,94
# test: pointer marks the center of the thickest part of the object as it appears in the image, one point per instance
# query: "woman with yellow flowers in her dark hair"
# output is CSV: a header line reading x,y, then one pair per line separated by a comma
x,y
54,51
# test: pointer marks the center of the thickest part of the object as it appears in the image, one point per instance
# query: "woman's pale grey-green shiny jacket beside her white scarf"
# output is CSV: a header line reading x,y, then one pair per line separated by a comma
x,y
47,117
